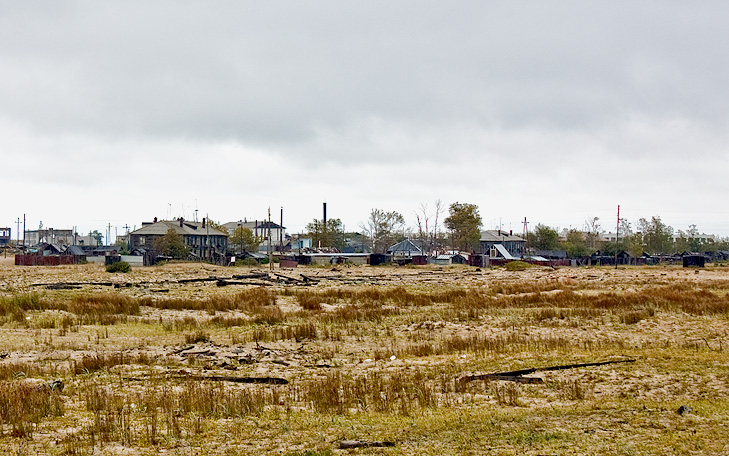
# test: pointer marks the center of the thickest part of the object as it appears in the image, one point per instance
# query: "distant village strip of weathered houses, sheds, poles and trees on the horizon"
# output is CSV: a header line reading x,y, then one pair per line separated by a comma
x,y
382,240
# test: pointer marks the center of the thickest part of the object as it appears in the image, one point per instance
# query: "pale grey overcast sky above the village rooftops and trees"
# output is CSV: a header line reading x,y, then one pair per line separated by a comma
x,y
557,111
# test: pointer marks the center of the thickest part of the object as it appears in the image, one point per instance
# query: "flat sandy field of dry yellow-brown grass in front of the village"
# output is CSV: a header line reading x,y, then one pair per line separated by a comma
x,y
167,360
